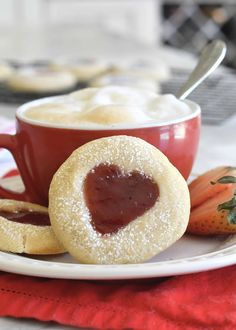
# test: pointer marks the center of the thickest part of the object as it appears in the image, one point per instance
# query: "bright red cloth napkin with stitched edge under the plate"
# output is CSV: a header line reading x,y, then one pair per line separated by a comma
x,y
201,301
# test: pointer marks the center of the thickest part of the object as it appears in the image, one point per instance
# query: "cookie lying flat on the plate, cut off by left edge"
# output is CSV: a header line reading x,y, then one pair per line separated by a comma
x,y
19,232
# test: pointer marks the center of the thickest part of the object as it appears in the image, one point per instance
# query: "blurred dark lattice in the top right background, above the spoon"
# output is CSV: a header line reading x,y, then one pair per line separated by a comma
x,y
190,24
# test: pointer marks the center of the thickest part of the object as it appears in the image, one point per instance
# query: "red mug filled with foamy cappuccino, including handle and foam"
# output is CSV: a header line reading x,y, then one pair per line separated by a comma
x,y
50,129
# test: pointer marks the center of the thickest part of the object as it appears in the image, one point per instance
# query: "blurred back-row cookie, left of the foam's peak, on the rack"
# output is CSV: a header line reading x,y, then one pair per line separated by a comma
x,y
84,69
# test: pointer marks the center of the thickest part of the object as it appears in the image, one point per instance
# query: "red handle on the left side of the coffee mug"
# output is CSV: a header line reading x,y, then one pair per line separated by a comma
x,y
9,142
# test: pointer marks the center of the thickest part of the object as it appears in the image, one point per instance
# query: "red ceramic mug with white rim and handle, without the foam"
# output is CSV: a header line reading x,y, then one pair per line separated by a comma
x,y
39,149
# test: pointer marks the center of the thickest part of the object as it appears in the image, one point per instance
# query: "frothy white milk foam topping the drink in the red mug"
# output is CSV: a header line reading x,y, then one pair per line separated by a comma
x,y
110,106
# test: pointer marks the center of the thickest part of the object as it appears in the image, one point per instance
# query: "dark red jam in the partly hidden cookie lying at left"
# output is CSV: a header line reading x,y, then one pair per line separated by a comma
x,y
27,217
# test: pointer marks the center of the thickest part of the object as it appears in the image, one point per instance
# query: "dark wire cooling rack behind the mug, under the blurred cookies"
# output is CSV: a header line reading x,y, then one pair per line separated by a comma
x,y
216,95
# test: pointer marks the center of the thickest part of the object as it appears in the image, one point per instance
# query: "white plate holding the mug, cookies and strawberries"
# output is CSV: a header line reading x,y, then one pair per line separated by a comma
x,y
190,254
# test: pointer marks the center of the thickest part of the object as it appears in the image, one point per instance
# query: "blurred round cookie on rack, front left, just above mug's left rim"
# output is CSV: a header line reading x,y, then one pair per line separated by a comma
x,y
41,80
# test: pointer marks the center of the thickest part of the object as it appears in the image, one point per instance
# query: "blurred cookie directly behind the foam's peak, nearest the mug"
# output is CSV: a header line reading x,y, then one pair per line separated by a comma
x,y
126,80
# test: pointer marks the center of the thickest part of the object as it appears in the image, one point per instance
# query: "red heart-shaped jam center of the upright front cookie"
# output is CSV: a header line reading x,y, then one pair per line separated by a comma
x,y
114,199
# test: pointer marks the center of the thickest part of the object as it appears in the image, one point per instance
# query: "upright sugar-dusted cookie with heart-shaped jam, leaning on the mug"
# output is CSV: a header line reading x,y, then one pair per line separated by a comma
x,y
118,200
